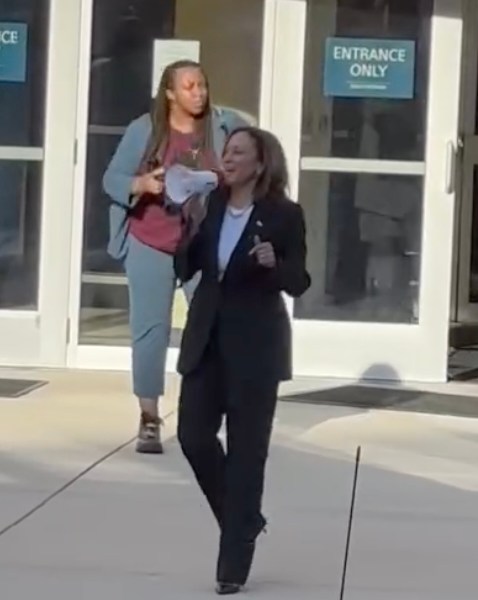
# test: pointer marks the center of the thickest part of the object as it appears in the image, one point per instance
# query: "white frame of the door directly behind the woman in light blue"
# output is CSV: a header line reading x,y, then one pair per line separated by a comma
x,y
119,357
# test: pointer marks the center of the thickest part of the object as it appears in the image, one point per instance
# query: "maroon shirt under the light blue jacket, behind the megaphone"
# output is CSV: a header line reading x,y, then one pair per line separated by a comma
x,y
149,222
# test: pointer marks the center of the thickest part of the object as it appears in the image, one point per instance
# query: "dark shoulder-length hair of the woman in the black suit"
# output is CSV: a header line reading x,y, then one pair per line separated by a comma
x,y
273,182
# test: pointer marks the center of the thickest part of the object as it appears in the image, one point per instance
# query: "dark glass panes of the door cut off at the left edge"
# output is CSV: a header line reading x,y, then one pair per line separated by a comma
x,y
22,107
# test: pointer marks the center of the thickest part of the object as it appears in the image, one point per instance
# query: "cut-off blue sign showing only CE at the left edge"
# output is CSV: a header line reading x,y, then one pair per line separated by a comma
x,y
13,52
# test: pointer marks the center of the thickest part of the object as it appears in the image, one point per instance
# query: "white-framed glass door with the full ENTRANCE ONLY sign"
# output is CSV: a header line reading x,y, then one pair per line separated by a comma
x,y
373,161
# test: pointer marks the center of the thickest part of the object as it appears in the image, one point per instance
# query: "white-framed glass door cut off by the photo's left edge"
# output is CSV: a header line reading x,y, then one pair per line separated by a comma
x,y
37,48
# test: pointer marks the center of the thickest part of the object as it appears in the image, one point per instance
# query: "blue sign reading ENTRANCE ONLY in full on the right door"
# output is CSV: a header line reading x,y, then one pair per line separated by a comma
x,y
369,68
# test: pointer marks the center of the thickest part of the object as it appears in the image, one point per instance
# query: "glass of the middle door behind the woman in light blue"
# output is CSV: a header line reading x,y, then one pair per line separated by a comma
x,y
120,90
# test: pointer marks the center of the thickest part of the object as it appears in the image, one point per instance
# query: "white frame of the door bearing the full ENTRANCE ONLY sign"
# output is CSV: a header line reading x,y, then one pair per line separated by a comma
x,y
415,352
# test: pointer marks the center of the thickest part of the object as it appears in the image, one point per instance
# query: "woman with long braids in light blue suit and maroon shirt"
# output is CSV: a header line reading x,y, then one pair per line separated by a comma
x,y
183,127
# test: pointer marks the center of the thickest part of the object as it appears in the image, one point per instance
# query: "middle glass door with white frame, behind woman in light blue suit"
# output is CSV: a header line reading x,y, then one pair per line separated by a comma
x,y
116,84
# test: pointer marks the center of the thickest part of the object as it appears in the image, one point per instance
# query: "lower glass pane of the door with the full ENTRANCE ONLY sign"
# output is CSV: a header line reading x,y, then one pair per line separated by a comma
x,y
364,239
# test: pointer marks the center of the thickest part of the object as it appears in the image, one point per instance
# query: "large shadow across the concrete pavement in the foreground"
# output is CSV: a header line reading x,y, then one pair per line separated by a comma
x,y
135,524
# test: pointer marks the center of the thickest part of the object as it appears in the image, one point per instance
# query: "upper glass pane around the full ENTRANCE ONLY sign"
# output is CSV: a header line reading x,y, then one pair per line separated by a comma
x,y
365,128
